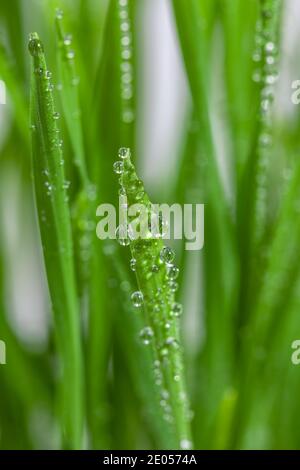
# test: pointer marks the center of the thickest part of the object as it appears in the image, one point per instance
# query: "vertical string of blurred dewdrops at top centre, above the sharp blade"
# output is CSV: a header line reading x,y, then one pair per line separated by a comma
x,y
126,63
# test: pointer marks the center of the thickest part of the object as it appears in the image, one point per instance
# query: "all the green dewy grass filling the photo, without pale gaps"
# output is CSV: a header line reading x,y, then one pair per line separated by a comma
x,y
119,366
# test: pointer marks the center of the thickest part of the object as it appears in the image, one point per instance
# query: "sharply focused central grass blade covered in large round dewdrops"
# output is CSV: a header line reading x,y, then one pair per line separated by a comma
x,y
155,273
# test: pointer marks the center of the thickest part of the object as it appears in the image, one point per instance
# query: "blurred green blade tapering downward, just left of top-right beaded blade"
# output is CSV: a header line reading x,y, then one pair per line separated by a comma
x,y
239,41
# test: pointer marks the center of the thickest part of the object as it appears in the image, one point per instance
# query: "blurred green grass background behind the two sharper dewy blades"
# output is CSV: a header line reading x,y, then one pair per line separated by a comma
x,y
204,103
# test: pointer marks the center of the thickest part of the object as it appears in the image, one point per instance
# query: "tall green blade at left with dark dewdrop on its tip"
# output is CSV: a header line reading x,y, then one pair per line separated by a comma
x,y
55,229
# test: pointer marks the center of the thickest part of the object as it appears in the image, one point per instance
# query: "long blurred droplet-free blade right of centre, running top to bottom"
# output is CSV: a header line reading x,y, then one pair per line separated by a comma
x,y
220,266
